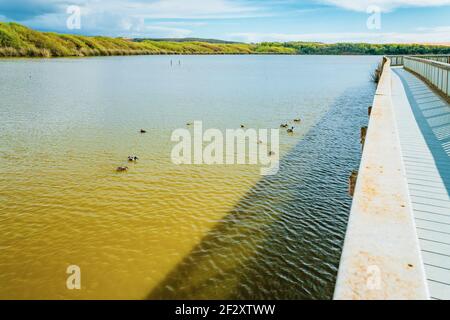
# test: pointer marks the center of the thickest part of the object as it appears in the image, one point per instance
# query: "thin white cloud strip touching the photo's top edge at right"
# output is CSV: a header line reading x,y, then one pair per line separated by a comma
x,y
384,5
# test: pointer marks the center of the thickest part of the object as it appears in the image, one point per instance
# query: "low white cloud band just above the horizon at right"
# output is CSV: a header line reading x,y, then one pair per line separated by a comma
x,y
437,35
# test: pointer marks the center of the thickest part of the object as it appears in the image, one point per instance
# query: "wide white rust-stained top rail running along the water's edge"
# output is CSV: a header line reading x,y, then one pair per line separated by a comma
x,y
381,257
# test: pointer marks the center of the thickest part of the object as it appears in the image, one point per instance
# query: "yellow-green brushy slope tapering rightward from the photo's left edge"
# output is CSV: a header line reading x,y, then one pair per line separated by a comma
x,y
19,41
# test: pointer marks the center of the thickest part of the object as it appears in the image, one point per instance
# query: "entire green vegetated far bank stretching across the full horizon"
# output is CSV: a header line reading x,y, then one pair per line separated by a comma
x,y
19,41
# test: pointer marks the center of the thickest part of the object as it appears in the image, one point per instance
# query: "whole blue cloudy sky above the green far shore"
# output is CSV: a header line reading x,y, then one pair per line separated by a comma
x,y
373,21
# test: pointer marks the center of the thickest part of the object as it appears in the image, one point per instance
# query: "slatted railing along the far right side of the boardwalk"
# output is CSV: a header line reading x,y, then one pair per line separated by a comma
x,y
436,73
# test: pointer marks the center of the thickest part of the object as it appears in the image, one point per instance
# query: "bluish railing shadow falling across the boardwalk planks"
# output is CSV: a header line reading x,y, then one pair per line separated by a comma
x,y
432,114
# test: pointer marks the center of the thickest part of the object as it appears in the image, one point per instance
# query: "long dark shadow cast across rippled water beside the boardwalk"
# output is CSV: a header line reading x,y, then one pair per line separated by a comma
x,y
283,239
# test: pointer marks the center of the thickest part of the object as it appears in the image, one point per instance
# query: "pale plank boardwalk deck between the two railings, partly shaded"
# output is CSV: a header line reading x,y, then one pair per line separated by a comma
x,y
423,121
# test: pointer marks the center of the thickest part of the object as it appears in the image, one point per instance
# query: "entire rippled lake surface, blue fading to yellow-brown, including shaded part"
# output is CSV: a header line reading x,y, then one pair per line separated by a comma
x,y
165,231
